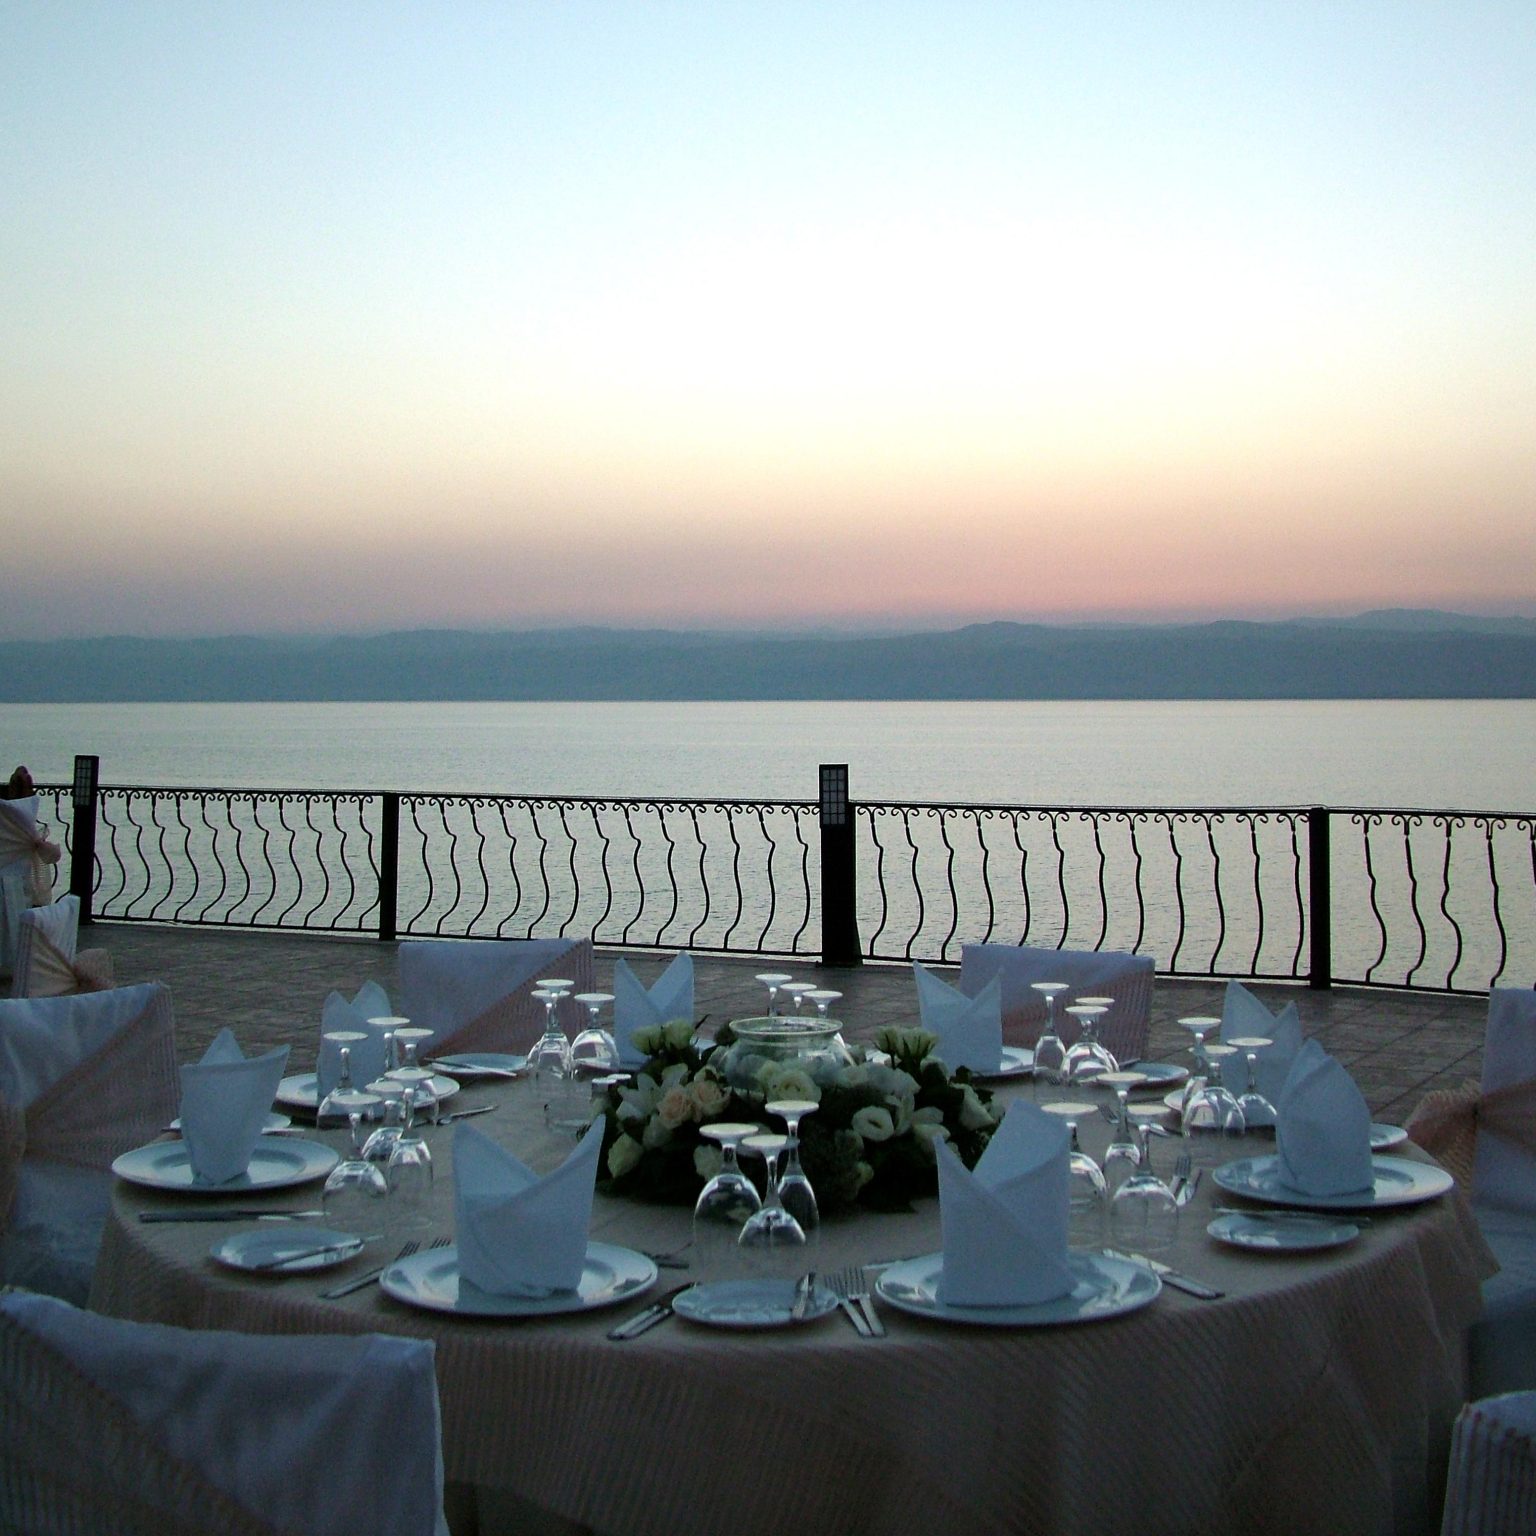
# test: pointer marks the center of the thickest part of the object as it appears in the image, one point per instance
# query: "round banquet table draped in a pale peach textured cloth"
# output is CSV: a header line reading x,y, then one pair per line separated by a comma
x,y
1317,1395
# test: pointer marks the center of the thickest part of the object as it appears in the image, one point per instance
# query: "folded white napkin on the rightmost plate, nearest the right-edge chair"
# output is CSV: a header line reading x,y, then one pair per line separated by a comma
x,y
1323,1128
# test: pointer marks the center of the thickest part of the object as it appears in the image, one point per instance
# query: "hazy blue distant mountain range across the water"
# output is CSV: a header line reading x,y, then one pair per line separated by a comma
x,y
1395,654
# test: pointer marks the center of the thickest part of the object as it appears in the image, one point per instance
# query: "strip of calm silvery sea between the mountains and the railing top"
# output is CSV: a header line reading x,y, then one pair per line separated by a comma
x,y
1454,755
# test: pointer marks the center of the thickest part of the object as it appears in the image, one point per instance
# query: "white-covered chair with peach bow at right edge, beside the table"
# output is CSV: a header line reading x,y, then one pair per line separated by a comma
x,y
1488,1137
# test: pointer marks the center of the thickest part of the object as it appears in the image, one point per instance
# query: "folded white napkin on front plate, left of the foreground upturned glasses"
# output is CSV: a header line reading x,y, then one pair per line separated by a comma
x,y
518,1234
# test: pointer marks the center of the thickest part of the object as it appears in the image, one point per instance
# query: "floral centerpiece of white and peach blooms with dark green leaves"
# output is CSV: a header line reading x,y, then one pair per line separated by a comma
x,y
872,1142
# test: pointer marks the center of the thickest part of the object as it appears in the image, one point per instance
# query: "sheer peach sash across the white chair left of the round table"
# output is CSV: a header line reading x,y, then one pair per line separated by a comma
x,y
113,1102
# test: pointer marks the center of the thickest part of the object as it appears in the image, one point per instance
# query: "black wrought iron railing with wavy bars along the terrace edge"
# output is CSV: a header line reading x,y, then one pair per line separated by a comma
x,y
1438,901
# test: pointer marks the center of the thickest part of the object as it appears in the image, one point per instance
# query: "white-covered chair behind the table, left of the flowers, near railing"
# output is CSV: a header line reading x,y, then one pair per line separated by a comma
x,y
477,995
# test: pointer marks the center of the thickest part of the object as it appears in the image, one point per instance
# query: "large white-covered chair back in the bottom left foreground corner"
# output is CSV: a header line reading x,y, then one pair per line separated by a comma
x,y
151,1431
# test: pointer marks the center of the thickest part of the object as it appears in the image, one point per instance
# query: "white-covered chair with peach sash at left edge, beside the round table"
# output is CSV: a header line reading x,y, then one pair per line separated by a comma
x,y
82,1081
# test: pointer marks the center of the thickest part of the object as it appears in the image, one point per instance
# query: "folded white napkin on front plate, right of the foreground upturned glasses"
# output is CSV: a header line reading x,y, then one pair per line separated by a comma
x,y
1005,1222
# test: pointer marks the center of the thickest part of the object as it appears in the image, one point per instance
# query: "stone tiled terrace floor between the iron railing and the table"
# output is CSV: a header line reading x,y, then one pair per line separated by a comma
x,y
270,990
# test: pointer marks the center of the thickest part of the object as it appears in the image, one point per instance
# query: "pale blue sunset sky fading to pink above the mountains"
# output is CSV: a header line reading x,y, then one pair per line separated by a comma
x,y
763,314
